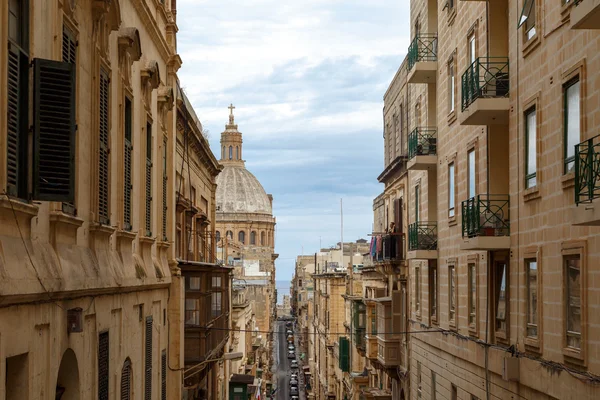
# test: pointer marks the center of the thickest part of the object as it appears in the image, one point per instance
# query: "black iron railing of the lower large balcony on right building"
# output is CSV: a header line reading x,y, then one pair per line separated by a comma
x,y
486,215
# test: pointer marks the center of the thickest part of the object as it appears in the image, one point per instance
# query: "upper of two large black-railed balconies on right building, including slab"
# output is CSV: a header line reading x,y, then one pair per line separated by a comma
x,y
485,89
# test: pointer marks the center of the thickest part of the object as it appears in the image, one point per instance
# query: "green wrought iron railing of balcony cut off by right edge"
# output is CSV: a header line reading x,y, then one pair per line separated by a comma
x,y
587,170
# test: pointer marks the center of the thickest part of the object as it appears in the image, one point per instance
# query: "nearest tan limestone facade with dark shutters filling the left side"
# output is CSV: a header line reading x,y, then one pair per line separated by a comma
x,y
84,243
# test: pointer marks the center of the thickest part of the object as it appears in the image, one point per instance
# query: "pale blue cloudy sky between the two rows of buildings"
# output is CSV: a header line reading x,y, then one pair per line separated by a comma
x,y
307,79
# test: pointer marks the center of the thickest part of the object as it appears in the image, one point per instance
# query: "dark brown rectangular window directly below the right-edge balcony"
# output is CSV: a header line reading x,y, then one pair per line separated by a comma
x,y
573,297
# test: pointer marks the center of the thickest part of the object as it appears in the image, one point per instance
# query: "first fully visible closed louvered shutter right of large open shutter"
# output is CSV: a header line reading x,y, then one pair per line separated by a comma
x,y
103,153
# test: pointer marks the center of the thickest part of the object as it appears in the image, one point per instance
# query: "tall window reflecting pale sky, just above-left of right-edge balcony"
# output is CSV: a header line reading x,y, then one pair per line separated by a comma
x,y
571,122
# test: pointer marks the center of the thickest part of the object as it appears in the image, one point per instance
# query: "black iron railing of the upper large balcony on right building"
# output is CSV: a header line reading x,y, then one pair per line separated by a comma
x,y
487,77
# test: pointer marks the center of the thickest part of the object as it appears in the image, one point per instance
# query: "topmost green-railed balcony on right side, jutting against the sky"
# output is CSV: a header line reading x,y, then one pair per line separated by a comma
x,y
422,59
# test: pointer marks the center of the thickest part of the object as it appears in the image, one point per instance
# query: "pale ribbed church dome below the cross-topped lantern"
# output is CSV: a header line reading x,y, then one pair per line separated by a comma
x,y
238,191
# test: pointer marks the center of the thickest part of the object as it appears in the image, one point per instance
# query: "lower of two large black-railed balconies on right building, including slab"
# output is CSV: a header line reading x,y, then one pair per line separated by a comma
x,y
486,222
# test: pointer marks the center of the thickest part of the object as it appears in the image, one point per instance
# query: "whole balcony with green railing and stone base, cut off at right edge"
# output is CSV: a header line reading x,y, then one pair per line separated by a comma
x,y
587,183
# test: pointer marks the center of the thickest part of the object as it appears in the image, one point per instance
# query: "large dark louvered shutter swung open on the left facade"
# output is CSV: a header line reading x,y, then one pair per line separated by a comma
x,y
54,131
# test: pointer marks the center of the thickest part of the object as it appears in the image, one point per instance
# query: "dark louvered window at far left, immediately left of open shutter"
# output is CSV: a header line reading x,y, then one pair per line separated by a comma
x,y
17,98
